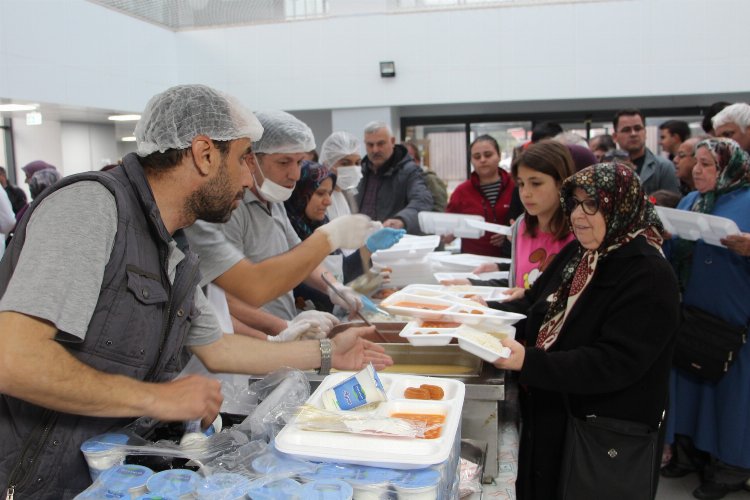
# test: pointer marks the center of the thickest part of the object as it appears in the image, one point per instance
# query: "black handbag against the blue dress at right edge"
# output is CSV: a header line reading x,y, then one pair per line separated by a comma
x,y
707,345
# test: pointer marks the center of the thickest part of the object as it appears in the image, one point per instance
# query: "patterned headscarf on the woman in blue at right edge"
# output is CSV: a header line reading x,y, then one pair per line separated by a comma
x,y
732,173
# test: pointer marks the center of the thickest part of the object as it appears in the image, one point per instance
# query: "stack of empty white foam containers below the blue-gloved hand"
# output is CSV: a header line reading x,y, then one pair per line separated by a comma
x,y
408,261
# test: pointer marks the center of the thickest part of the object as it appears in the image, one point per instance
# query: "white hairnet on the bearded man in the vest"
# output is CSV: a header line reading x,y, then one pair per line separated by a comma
x,y
175,117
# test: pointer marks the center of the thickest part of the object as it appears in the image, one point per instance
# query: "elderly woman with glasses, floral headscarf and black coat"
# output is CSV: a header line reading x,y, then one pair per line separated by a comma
x,y
600,327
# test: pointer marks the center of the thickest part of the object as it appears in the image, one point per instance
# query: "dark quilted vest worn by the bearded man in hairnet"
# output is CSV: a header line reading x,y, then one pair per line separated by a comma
x,y
138,328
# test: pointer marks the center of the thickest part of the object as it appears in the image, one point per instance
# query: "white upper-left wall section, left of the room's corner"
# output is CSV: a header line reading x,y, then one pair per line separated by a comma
x,y
76,53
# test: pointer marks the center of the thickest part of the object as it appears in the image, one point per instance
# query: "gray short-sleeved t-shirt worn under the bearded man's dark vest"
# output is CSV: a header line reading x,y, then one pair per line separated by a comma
x,y
61,266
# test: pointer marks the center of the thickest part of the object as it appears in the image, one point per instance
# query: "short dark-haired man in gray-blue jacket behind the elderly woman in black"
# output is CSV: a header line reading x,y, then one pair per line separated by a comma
x,y
654,171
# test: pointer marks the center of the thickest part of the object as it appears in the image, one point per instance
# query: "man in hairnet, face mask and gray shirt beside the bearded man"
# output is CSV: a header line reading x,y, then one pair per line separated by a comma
x,y
260,227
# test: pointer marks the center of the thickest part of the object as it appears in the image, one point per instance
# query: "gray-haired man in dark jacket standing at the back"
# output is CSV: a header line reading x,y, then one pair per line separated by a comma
x,y
392,189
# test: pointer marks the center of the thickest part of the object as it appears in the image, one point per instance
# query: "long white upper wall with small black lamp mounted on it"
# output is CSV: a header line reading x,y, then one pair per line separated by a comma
x,y
542,52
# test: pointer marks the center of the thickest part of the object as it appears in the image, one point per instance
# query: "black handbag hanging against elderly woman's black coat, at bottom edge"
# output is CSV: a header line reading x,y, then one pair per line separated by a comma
x,y
609,458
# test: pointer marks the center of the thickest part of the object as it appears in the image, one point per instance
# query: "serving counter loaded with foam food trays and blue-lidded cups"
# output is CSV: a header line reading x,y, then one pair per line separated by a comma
x,y
398,433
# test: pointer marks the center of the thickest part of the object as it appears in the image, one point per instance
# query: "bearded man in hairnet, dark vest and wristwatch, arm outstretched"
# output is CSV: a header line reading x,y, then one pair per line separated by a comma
x,y
99,298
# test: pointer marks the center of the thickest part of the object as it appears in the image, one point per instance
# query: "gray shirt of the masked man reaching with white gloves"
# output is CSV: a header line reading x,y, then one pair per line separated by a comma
x,y
261,234
